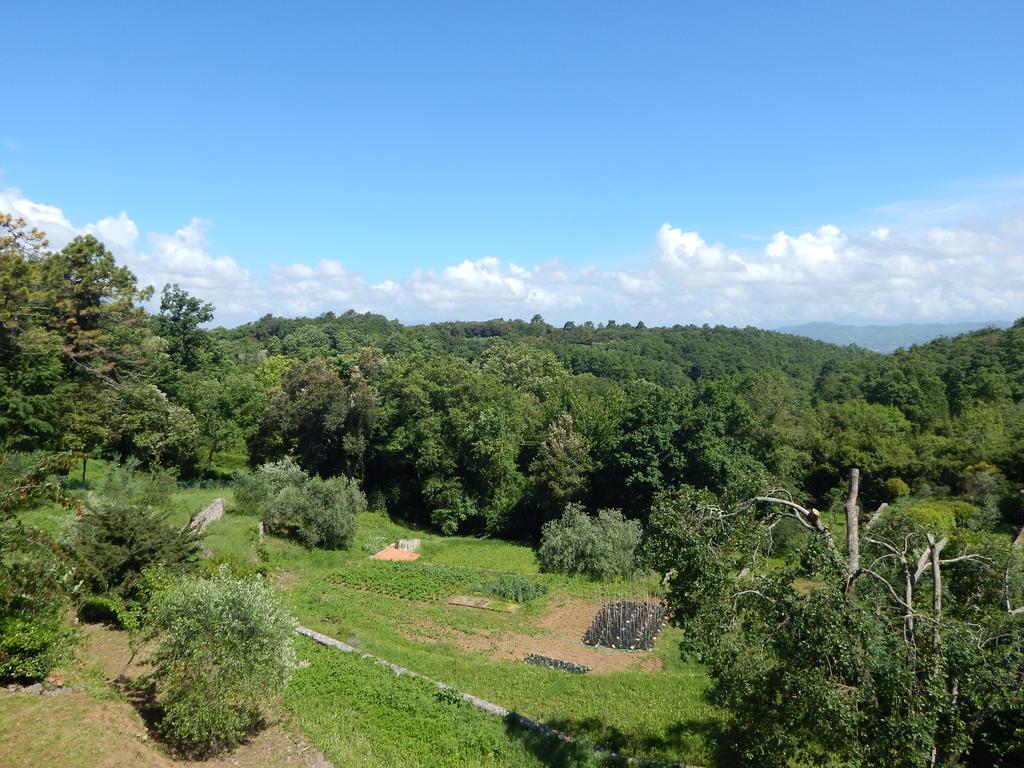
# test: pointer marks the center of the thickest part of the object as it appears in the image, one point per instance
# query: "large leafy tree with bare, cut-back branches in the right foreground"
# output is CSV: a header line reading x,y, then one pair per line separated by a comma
x,y
899,650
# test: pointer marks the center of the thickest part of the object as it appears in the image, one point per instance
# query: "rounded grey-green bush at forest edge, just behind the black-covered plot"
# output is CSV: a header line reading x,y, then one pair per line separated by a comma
x,y
601,548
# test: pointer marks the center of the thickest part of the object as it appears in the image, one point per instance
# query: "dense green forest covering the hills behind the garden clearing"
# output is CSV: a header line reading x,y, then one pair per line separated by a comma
x,y
492,428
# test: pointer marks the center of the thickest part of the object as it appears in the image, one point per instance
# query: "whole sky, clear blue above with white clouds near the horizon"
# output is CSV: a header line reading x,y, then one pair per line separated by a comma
x,y
410,158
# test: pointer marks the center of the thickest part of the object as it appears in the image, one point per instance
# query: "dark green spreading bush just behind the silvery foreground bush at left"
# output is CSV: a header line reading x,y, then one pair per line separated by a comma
x,y
119,542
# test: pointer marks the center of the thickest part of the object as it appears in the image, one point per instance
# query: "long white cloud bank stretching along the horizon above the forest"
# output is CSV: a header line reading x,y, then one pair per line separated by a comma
x,y
894,273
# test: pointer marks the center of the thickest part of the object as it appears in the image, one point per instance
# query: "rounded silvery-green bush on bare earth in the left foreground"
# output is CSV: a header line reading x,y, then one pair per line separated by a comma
x,y
223,651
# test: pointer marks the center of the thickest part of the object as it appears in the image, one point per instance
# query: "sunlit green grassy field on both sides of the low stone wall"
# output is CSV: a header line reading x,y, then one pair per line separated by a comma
x,y
641,704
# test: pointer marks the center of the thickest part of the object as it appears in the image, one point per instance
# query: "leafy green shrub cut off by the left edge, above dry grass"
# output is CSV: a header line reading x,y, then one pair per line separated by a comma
x,y
34,582
